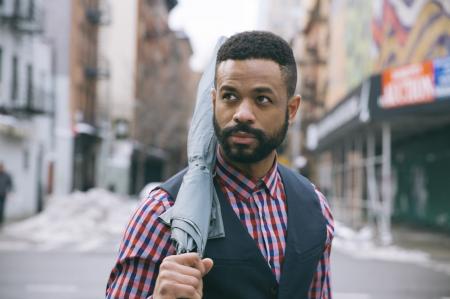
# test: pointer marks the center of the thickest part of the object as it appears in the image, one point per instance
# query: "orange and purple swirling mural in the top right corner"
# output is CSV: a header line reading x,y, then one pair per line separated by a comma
x,y
410,31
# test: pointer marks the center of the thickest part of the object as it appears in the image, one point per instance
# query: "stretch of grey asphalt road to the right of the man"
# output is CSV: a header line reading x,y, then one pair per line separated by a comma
x,y
372,279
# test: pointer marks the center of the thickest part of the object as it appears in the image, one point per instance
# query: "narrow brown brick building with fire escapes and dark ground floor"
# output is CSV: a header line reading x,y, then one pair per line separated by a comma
x,y
86,69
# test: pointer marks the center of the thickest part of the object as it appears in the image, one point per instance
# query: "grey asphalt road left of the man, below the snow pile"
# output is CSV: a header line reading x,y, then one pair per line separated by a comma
x,y
51,275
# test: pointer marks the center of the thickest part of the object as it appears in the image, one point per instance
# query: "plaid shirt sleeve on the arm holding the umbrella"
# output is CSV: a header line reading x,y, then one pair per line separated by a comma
x,y
145,244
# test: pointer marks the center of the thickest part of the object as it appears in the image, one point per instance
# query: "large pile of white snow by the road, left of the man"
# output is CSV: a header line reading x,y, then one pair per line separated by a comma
x,y
80,221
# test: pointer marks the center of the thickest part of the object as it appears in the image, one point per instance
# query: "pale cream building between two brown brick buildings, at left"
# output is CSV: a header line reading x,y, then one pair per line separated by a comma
x,y
116,96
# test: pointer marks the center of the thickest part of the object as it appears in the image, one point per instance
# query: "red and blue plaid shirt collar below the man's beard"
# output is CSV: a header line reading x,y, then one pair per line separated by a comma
x,y
244,186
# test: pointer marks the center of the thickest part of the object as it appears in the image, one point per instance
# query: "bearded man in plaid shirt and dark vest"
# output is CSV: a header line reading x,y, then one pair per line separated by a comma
x,y
278,227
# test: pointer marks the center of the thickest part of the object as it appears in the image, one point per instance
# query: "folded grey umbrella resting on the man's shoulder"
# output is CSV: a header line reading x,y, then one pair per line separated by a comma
x,y
196,215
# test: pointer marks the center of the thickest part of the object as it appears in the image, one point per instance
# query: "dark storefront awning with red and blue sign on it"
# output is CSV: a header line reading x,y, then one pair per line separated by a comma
x,y
412,99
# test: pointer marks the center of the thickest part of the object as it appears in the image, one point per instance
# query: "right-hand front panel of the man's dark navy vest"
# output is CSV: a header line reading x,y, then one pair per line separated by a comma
x,y
306,235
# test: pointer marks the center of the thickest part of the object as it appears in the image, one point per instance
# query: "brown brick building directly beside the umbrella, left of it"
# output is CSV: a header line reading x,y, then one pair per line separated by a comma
x,y
165,94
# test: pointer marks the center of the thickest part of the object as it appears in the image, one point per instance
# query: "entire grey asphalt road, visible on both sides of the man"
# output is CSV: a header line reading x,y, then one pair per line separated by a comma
x,y
74,275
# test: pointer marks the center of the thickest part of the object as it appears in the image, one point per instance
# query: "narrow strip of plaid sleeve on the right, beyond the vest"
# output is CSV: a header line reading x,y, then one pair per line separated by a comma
x,y
320,286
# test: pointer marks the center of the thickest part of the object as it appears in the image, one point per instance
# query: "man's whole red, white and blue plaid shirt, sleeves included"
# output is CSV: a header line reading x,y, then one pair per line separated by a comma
x,y
261,207
